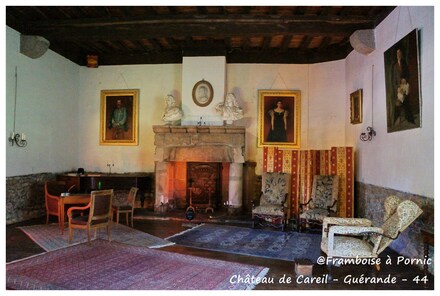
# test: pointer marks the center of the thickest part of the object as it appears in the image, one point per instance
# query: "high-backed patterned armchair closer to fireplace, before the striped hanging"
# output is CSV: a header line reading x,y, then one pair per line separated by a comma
x,y
274,201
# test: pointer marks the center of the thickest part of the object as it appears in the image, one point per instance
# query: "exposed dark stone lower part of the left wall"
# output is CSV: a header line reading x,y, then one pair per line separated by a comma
x,y
25,197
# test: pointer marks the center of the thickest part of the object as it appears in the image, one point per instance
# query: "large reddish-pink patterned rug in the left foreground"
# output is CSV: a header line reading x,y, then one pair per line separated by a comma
x,y
104,265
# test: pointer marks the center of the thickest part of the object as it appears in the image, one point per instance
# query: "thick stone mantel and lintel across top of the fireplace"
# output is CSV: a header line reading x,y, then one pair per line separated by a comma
x,y
200,143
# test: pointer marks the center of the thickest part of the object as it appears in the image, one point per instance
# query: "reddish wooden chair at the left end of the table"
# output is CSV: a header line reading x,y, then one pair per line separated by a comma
x,y
52,195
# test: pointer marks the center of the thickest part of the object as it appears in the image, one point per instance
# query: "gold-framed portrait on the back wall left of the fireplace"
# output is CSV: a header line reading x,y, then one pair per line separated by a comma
x,y
119,117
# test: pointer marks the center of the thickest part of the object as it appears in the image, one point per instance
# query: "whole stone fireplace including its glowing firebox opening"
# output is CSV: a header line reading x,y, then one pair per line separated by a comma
x,y
178,148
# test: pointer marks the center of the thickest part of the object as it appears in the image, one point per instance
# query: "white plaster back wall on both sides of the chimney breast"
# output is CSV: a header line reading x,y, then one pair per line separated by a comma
x,y
244,80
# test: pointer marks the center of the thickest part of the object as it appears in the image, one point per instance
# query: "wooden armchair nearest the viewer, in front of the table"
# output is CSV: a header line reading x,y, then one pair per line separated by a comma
x,y
100,214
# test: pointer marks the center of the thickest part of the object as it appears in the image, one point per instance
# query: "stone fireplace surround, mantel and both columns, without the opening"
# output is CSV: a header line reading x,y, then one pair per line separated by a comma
x,y
224,144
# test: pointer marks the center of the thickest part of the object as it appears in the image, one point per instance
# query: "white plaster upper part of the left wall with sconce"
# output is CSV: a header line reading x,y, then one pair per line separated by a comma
x,y
46,110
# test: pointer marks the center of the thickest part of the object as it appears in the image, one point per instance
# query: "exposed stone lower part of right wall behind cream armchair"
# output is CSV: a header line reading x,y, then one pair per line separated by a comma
x,y
369,204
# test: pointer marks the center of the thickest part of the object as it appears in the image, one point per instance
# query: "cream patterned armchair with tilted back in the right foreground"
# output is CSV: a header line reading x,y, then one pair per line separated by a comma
x,y
357,238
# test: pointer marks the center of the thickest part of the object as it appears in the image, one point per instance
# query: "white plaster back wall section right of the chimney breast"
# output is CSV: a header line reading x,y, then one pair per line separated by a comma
x,y
322,89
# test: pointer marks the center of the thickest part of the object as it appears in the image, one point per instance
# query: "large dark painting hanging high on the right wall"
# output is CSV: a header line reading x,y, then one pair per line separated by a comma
x,y
402,81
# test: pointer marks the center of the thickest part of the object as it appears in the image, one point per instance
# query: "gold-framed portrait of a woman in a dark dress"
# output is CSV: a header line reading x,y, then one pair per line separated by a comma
x,y
279,118
